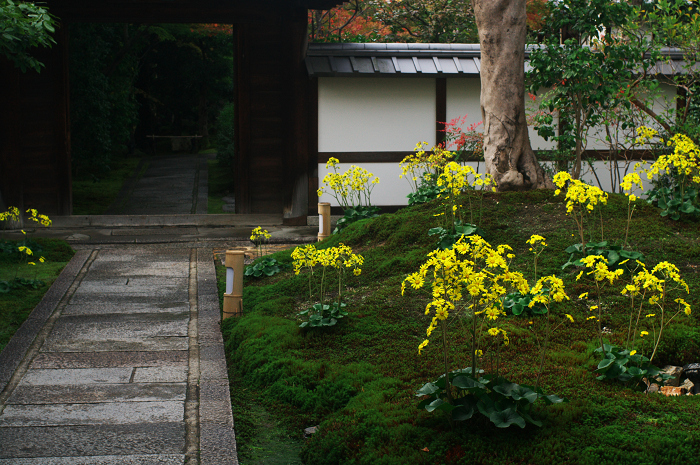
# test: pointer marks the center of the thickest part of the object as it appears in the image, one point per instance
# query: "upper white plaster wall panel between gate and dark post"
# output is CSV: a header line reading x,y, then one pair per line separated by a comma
x,y
375,115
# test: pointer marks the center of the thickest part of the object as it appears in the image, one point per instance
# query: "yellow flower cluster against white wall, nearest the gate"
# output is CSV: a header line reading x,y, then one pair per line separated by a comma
x,y
352,188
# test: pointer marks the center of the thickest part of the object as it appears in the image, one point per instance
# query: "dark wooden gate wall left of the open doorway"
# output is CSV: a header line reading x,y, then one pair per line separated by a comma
x,y
35,133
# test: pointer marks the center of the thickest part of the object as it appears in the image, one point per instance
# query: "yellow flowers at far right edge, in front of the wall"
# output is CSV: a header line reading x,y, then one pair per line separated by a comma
x,y
685,158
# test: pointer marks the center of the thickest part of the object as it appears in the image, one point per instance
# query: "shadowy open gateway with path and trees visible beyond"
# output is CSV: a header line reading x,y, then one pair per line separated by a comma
x,y
145,99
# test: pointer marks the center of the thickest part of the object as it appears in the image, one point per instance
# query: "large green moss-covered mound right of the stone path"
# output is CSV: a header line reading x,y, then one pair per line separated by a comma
x,y
357,380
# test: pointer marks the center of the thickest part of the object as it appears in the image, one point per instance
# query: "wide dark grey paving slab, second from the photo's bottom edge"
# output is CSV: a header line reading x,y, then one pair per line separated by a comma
x,y
47,442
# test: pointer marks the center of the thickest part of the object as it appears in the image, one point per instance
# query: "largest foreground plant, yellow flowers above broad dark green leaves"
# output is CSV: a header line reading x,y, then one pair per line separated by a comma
x,y
468,282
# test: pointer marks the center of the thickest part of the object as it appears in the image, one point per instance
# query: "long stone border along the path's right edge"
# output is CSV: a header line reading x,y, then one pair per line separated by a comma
x,y
217,440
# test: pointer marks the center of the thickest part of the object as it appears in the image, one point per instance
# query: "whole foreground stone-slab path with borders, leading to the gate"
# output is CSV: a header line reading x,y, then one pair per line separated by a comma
x,y
121,363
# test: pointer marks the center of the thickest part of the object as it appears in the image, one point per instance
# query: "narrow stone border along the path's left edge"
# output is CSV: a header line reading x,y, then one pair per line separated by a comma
x,y
15,351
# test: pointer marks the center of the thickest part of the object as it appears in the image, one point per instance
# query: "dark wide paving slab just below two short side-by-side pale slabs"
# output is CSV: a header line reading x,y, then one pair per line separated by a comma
x,y
83,394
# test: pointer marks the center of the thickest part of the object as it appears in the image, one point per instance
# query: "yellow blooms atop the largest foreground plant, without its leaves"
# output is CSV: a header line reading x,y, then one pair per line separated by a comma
x,y
472,271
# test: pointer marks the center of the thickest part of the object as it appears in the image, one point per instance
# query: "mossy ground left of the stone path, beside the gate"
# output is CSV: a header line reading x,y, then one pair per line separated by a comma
x,y
17,304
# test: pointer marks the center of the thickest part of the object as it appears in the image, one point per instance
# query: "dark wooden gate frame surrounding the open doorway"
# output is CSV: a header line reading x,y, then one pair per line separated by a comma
x,y
272,103
